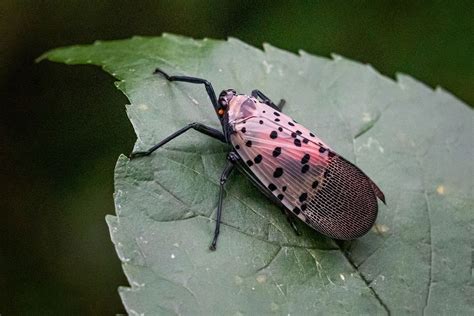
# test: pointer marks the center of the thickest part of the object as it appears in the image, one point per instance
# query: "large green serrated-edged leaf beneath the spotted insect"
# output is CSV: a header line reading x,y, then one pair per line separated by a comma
x,y
415,143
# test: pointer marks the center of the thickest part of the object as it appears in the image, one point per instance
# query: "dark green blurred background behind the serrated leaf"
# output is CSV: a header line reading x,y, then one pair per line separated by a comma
x,y
62,128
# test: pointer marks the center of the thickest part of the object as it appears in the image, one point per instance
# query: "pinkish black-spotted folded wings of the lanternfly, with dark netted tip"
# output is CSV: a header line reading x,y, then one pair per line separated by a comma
x,y
322,188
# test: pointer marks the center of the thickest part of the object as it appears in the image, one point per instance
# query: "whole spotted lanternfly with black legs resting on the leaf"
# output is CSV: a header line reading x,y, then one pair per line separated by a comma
x,y
287,162
